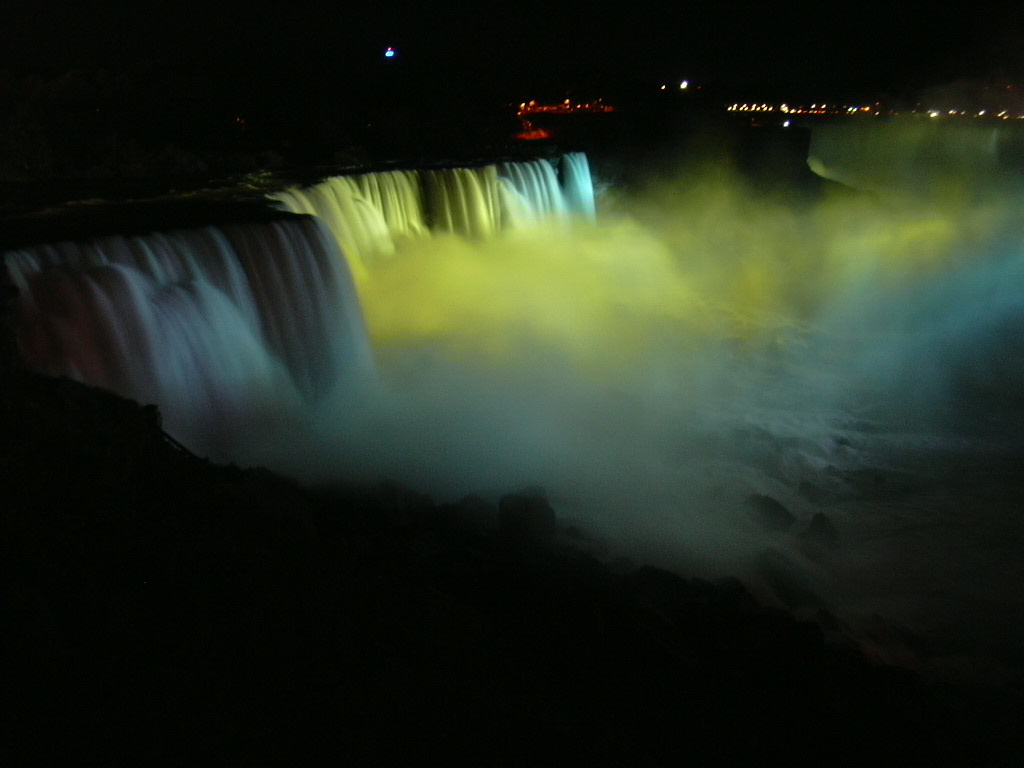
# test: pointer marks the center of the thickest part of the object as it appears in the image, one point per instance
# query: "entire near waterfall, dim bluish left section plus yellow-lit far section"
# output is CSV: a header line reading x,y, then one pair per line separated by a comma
x,y
211,324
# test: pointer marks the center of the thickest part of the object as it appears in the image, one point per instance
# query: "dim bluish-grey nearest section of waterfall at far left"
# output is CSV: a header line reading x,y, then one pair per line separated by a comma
x,y
206,323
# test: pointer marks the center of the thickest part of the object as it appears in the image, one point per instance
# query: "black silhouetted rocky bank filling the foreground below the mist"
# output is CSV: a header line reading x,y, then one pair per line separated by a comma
x,y
159,610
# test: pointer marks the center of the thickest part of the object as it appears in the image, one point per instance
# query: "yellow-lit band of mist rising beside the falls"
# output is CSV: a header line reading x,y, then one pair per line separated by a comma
x,y
698,260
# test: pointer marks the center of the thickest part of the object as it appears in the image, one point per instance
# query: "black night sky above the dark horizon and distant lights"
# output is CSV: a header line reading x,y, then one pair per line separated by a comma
x,y
788,47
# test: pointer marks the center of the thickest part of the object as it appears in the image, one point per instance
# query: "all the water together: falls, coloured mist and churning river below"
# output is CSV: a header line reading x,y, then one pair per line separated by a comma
x,y
653,360
